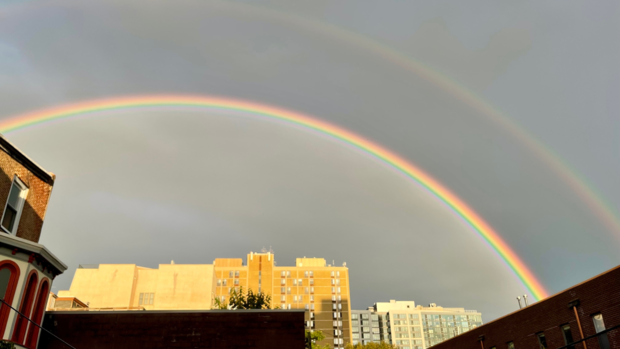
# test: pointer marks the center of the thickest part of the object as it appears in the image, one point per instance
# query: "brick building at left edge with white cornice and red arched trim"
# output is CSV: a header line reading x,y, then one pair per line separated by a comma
x,y
27,268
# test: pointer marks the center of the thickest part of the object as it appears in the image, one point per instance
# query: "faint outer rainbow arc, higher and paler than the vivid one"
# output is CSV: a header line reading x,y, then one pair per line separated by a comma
x,y
593,200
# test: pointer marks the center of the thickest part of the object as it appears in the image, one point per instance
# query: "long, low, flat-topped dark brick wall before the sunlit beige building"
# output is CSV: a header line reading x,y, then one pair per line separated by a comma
x,y
168,329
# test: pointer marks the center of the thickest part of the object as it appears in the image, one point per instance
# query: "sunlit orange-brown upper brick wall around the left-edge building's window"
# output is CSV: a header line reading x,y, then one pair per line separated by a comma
x,y
39,192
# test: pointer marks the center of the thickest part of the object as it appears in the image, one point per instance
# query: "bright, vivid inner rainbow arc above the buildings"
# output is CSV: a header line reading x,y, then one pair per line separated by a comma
x,y
462,210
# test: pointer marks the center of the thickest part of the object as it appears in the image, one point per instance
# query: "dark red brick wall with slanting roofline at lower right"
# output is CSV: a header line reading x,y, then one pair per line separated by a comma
x,y
598,295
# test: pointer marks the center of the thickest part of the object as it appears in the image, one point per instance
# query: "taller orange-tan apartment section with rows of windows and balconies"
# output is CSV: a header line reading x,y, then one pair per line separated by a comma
x,y
321,289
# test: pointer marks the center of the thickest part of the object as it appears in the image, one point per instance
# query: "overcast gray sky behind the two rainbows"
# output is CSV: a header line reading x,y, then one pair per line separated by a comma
x,y
150,187
